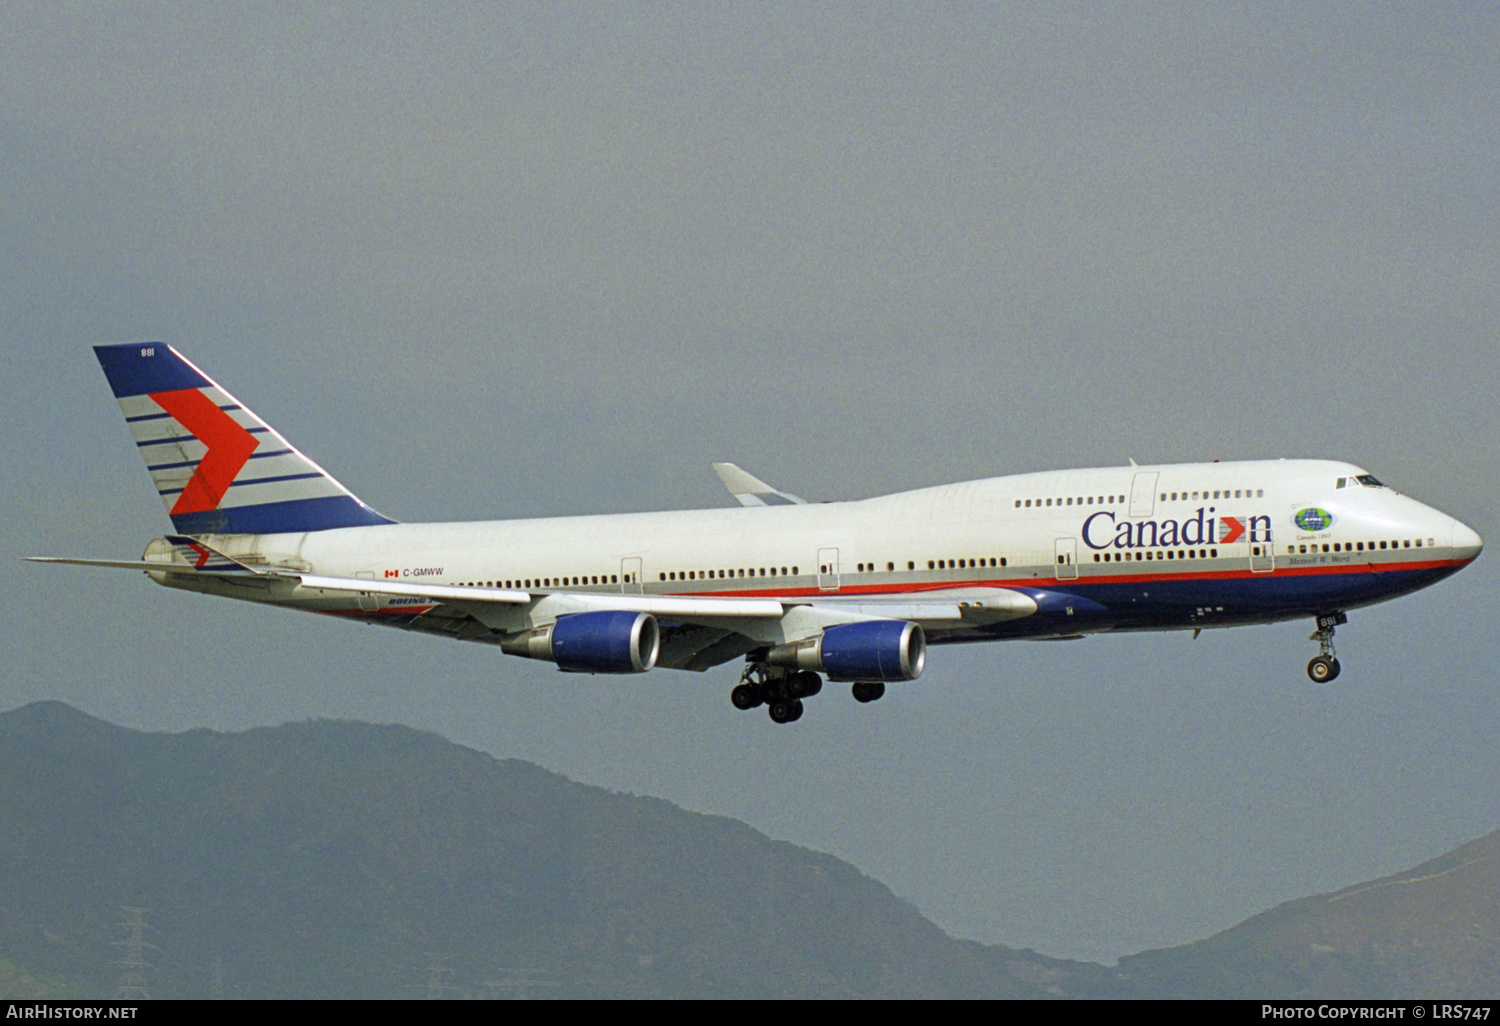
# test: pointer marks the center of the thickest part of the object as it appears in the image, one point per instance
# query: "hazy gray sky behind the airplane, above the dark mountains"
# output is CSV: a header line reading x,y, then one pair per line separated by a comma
x,y
551,260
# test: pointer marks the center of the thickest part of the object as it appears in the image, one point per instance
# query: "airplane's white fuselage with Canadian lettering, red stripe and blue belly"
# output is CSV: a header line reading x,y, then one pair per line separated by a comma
x,y
1130,548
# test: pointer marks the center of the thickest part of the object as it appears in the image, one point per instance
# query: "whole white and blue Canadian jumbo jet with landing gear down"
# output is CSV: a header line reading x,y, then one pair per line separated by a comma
x,y
851,592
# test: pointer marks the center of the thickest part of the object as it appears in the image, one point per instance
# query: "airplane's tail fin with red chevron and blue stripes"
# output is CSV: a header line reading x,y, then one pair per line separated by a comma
x,y
217,466
